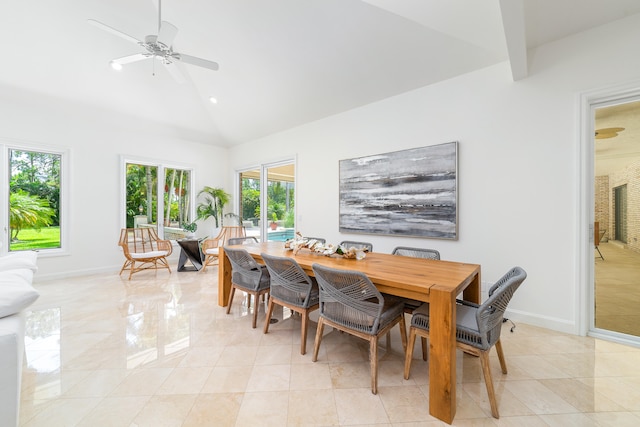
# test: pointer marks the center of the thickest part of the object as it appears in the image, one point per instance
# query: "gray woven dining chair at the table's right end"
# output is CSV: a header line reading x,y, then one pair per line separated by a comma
x,y
478,327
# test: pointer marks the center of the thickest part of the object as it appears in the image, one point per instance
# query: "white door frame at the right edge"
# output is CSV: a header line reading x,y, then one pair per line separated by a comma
x,y
585,274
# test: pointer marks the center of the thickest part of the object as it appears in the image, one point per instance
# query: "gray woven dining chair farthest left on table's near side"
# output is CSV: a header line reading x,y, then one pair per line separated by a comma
x,y
248,276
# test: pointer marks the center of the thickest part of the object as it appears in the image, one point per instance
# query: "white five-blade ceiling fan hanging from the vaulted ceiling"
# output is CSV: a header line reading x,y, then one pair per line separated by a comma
x,y
157,46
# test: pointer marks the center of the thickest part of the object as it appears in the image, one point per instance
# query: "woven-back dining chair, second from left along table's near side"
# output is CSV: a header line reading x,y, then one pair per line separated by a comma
x,y
292,288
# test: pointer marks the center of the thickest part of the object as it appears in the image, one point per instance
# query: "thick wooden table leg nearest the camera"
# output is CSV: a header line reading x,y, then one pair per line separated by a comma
x,y
442,354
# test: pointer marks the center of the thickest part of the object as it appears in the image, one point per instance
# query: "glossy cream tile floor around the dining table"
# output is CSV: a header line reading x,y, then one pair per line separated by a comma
x,y
159,351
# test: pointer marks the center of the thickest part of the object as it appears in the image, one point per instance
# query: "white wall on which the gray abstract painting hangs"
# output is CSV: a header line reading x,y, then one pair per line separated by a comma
x,y
518,162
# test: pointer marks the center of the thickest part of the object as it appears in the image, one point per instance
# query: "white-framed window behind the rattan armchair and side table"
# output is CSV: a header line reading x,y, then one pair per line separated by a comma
x,y
170,212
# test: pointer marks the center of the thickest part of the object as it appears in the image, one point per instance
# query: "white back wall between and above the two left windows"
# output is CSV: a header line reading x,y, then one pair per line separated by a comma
x,y
96,140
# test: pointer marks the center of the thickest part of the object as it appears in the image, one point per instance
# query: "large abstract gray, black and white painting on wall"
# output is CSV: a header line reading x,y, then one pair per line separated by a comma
x,y
411,192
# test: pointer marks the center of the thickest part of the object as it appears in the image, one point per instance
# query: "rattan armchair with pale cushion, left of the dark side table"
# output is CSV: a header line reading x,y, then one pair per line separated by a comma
x,y
143,250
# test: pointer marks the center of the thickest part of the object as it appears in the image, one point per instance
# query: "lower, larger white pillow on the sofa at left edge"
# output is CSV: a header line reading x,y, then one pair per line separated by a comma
x,y
16,292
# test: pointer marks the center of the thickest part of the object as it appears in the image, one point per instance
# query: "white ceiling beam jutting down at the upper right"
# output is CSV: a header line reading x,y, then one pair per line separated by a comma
x,y
514,31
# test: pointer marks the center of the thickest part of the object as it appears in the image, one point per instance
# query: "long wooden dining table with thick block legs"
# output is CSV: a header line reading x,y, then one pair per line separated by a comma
x,y
434,281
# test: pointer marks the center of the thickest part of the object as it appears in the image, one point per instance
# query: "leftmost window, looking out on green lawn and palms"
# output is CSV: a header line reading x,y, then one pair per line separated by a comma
x,y
34,200
